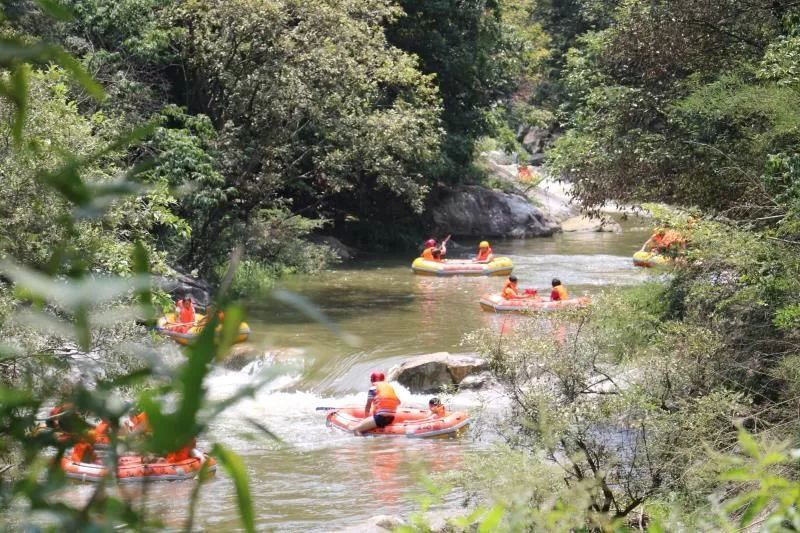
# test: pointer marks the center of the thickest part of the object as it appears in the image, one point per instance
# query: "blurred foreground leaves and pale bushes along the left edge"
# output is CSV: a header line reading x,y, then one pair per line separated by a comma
x,y
75,294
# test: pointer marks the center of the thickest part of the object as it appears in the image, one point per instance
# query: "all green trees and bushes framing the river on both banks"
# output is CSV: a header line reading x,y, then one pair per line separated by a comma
x,y
143,136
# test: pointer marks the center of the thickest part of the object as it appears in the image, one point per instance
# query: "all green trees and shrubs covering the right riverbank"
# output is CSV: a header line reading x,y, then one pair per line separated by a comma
x,y
635,414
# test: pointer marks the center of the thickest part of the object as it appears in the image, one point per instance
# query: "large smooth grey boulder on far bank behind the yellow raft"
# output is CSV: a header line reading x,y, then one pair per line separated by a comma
x,y
474,211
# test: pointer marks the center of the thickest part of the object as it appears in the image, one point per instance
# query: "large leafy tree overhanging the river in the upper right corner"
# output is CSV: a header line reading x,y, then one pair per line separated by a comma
x,y
683,103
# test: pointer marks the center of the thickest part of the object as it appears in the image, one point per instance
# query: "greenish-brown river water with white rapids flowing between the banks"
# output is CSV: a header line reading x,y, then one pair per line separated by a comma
x,y
318,479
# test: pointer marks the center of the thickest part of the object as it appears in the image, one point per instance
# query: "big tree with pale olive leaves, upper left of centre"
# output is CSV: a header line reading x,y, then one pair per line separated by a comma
x,y
344,125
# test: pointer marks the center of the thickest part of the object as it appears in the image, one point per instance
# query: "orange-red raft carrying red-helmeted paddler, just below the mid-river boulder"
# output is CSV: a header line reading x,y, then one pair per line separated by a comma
x,y
408,422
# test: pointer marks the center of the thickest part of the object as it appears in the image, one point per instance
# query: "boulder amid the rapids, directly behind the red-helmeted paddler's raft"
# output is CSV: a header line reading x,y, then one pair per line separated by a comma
x,y
428,373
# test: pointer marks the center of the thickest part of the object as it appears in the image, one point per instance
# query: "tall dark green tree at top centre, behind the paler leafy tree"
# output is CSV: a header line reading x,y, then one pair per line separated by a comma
x,y
478,50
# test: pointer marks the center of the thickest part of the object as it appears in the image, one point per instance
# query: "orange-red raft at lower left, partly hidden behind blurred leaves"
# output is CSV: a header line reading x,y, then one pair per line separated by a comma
x,y
132,468
